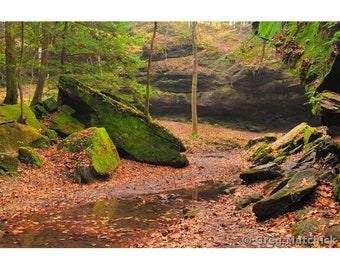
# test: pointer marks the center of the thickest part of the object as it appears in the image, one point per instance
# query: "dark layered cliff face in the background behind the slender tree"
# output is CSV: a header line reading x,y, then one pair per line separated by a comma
x,y
235,92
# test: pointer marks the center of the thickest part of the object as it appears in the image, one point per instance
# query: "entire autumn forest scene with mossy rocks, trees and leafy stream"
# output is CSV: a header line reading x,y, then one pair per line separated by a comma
x,y
192,134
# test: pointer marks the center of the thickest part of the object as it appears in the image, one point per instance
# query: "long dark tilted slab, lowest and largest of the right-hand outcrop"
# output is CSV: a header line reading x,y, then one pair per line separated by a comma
x,y
297,188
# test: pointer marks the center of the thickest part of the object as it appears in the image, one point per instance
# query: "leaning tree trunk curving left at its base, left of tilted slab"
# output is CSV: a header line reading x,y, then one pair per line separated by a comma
x,y
43,65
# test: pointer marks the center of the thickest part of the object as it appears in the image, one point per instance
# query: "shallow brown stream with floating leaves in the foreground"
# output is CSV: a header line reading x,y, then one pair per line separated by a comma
x,y
108,223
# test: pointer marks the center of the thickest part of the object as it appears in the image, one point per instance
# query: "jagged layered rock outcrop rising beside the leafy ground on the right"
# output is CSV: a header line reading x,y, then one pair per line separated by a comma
x,y
299,178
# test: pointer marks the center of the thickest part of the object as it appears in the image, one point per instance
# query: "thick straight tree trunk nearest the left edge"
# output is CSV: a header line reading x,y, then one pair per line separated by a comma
x,y
11,65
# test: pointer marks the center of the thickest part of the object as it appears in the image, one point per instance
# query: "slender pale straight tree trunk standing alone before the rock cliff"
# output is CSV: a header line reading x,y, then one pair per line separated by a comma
x,y
194,80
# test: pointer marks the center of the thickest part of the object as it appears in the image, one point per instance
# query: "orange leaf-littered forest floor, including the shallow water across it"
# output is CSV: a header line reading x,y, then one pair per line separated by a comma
x,y
144,205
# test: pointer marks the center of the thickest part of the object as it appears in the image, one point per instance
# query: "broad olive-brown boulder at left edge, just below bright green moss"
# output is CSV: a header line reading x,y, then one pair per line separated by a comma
x,y
13,135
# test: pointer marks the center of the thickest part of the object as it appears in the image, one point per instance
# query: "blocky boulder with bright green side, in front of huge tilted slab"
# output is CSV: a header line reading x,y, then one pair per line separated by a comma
x,y
96,155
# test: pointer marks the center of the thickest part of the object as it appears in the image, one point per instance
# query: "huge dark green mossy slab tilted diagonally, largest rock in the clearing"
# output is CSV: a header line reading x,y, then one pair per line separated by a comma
x,y
128,128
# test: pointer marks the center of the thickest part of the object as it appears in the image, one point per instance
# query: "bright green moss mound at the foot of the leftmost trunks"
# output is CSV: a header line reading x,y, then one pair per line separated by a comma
x,y
12,112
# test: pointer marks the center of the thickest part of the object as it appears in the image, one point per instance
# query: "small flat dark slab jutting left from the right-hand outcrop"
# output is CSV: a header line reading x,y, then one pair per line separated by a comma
x,y
261,172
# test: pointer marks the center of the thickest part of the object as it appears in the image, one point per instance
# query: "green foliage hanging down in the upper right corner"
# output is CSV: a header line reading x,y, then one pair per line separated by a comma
x,y
308,47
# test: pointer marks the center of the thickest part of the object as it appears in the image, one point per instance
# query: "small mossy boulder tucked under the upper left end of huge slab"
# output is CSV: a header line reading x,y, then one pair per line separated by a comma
x,y
64,123
